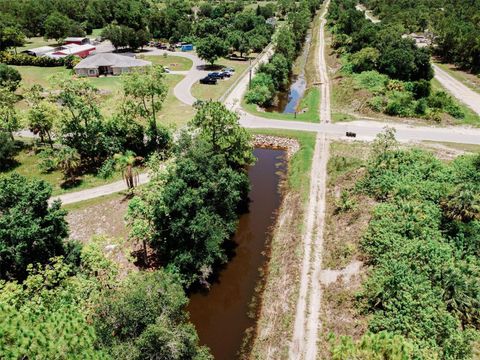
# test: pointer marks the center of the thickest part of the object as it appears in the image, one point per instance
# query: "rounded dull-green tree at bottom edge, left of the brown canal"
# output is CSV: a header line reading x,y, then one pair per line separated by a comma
x,y
144,317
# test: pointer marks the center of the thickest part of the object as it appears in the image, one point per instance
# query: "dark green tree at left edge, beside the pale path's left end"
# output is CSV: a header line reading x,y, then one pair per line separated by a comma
x,y
31,231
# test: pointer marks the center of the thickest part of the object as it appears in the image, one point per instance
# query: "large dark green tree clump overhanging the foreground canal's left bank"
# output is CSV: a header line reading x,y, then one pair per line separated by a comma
x,y
188,212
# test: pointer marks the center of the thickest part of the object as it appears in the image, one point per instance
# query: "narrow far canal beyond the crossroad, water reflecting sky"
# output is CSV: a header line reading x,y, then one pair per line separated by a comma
x,y
288,101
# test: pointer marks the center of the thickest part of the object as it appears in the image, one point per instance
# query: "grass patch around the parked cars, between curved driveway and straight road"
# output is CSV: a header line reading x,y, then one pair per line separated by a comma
x,y
214,92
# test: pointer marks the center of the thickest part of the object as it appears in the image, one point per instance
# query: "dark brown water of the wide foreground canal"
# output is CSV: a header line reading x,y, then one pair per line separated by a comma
x,y
220,315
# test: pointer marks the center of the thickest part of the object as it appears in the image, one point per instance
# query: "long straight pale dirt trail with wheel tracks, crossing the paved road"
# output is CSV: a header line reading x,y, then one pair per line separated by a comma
x,y
307,324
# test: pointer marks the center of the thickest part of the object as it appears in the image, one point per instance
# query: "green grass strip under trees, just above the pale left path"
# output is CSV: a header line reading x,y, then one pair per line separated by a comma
x,y
28,166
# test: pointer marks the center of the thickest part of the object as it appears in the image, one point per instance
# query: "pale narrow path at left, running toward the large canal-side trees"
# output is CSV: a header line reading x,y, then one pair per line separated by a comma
x,y
98,191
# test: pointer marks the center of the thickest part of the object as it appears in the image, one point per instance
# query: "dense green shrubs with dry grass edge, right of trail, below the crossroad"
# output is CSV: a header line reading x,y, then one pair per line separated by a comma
x,y
417,246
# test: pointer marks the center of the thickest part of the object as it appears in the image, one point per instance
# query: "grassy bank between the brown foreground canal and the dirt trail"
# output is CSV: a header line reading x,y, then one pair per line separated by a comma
x,y
277,310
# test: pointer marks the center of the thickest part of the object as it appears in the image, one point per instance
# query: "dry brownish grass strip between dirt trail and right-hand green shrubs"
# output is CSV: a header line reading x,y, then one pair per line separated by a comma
x,y
343,231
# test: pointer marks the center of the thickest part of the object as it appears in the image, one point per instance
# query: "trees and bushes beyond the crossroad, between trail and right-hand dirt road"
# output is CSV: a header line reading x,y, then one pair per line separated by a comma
x,y
383,72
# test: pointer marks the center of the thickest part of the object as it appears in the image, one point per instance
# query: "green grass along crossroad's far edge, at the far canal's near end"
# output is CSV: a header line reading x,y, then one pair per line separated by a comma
x,y
310,105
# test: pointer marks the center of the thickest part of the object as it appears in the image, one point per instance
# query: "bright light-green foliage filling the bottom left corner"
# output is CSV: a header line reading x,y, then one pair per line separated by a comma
x,y
43,317
